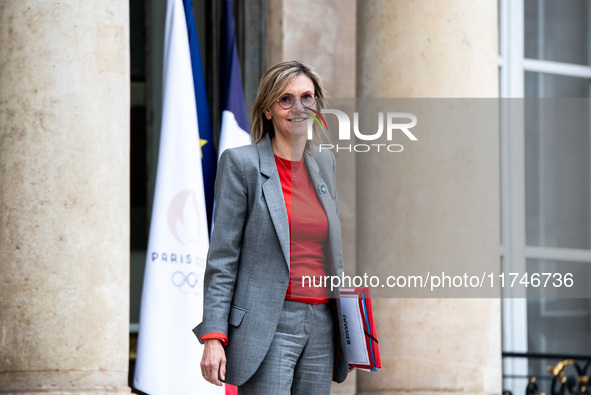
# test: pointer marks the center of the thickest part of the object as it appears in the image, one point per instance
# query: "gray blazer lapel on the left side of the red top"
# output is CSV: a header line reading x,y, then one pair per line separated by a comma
x,y
273,194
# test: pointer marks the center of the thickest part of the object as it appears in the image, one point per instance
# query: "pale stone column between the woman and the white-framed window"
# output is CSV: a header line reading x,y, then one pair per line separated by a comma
x,y
432,49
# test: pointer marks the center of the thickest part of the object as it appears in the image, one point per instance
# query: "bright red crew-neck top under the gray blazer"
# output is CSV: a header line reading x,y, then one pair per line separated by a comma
x,y
308,230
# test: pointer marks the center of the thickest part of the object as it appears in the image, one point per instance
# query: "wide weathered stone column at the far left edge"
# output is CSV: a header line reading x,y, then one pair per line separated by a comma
x,y
64,196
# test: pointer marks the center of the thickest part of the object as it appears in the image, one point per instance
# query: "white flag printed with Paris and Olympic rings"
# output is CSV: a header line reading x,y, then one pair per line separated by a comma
x,y
168,354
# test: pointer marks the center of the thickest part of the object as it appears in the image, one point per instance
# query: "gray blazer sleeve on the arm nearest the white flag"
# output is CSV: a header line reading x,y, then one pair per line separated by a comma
x,y
231,210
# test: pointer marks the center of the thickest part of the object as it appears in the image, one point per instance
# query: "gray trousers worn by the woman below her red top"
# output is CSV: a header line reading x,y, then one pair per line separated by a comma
x,y
300,359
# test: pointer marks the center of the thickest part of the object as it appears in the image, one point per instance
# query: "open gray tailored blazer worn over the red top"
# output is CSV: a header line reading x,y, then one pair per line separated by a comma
x,y
247,269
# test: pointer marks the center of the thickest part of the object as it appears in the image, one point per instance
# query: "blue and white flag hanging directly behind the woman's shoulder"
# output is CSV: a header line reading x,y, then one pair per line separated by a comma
x,y
234,122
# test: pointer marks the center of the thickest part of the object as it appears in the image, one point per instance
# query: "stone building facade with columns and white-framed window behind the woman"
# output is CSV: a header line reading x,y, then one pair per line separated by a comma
x,y
69,77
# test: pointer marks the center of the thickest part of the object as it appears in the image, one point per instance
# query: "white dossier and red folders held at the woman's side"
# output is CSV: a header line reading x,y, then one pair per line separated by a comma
x,y
360,329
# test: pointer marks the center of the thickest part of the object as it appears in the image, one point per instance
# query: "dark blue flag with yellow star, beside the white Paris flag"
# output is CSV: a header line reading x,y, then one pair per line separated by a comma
x,y
208,155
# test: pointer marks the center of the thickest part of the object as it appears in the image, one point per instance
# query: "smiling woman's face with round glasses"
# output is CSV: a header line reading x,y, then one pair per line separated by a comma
x,y
292,123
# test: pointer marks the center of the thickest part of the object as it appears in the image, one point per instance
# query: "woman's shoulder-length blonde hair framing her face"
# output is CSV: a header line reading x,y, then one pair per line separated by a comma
x,y
274,84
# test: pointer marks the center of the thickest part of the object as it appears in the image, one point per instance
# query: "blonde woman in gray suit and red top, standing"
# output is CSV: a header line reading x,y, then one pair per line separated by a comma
x,y
276,219
